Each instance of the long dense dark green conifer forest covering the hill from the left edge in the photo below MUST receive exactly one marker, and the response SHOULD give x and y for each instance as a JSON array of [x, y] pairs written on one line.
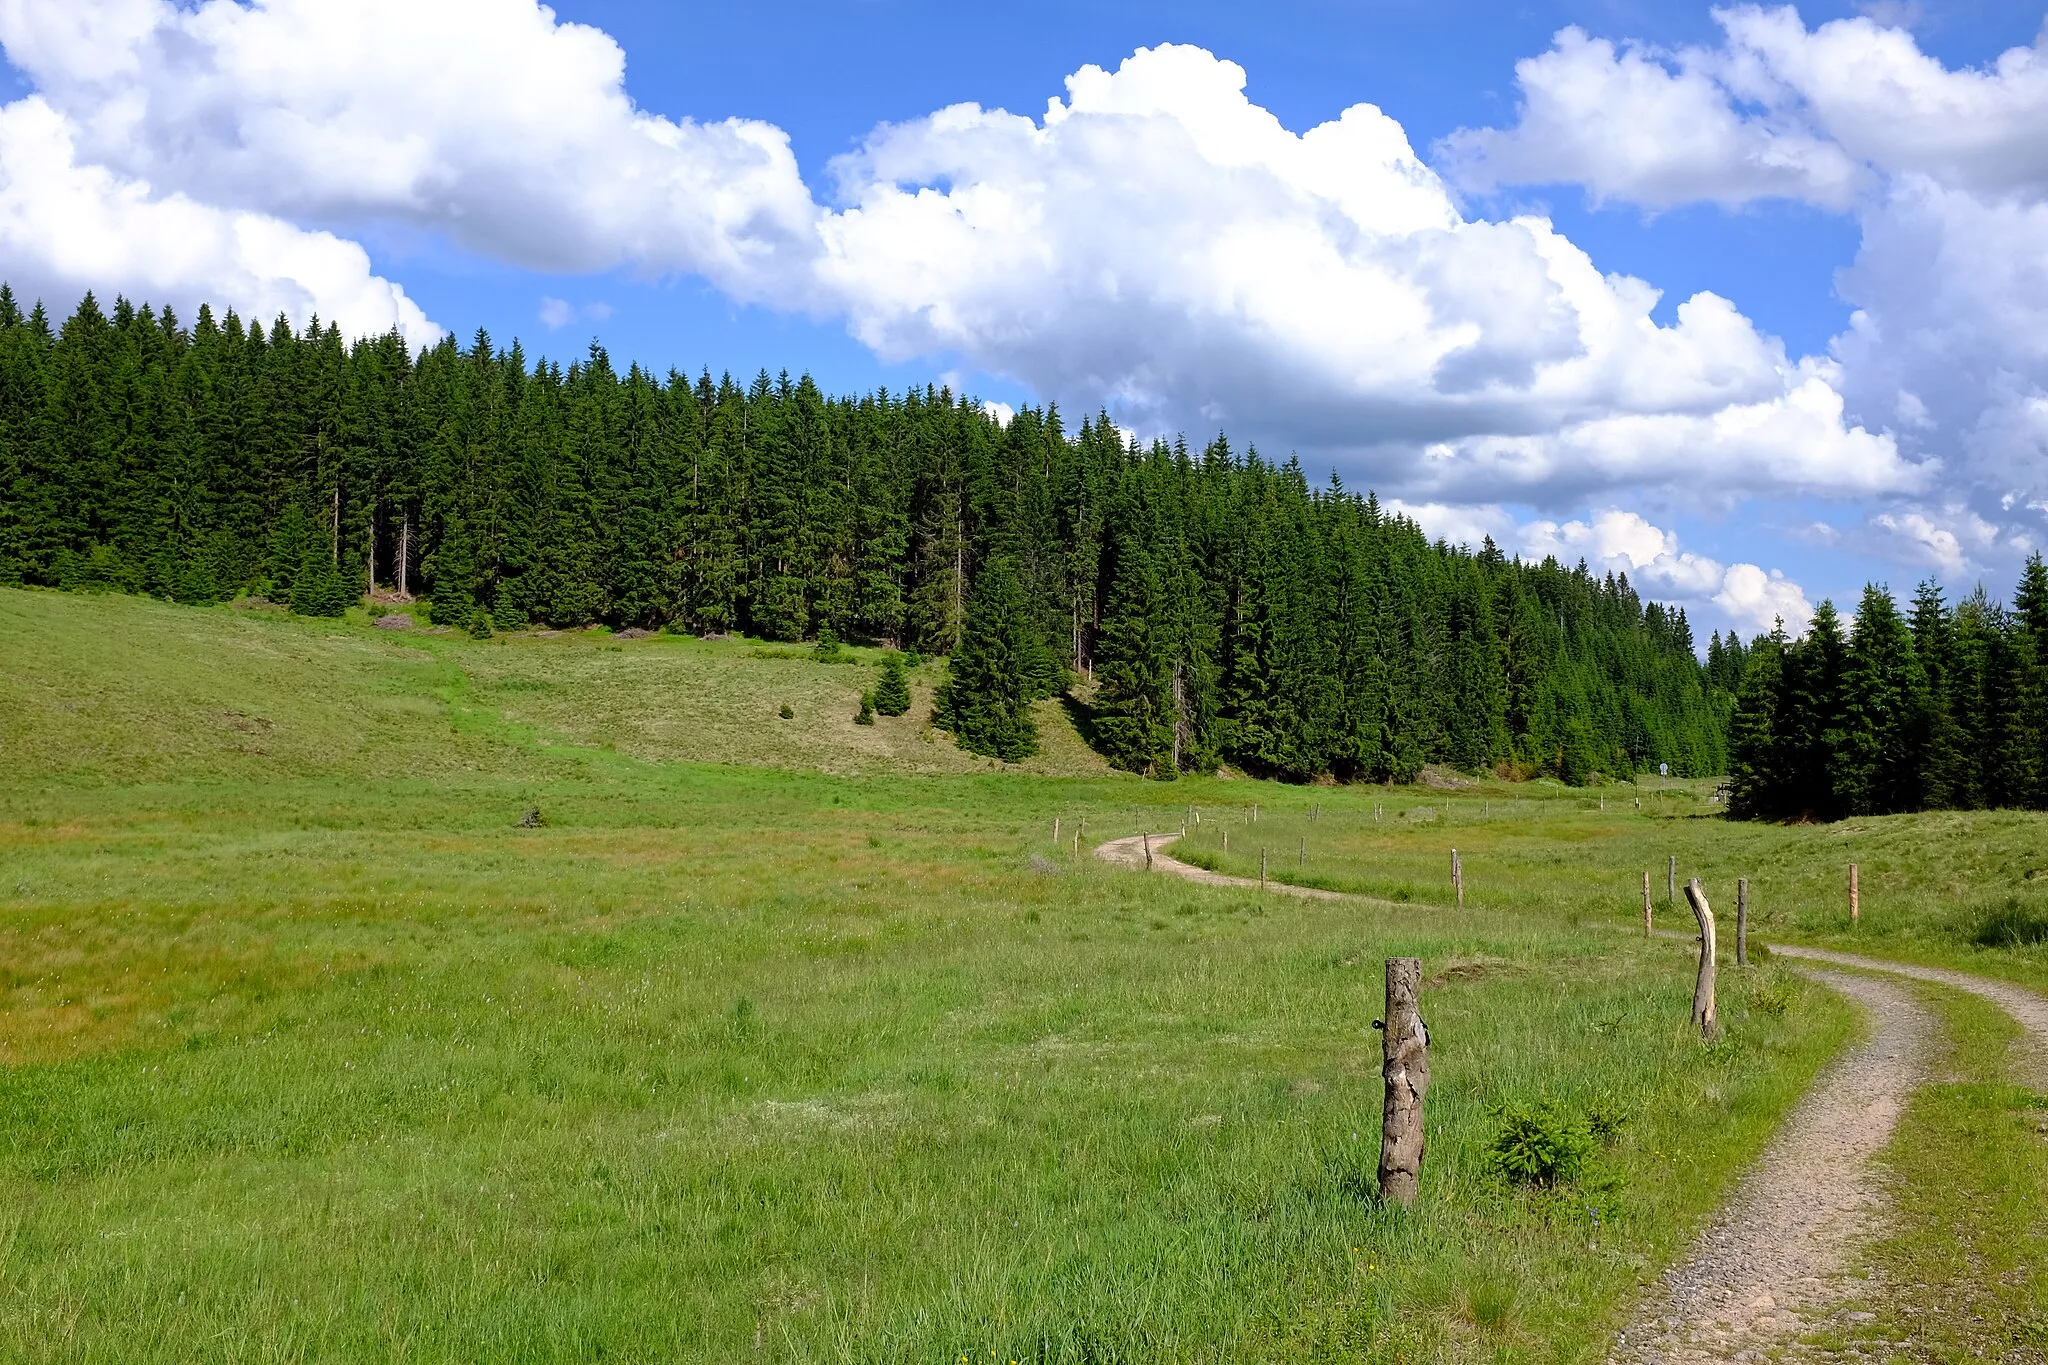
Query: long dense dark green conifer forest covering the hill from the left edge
[[1226, 611]]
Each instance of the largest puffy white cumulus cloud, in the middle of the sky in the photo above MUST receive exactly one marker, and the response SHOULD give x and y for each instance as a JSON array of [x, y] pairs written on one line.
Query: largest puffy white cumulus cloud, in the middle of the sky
[[1162, 243]]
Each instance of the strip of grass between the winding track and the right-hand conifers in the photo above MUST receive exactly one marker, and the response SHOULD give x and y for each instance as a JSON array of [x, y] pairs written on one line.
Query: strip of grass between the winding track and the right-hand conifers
[[1957, 889]]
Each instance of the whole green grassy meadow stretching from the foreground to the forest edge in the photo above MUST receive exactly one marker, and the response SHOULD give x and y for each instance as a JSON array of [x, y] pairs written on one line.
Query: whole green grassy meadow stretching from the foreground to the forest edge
[[800, 1041]]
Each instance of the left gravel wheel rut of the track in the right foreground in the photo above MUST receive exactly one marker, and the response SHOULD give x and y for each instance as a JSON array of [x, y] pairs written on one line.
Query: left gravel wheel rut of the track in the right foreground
[[1773, 1253]]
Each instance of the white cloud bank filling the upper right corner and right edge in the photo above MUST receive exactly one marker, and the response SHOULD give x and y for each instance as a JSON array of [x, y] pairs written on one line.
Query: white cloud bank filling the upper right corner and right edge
[[1949, 177]]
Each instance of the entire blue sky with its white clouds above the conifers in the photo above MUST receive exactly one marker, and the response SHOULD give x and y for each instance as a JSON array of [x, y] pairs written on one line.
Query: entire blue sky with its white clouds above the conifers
[[1746, 155]]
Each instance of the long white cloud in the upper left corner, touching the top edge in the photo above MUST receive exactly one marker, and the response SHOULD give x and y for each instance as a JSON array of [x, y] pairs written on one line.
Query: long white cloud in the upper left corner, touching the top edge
[[484, 120]]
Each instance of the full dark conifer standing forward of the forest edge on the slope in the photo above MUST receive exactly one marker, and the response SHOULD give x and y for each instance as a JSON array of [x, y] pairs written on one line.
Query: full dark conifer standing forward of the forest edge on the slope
[[986, 699]]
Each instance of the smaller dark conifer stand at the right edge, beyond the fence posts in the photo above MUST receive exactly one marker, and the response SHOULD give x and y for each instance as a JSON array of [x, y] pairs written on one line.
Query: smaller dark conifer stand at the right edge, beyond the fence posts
[[1943, 709]]
